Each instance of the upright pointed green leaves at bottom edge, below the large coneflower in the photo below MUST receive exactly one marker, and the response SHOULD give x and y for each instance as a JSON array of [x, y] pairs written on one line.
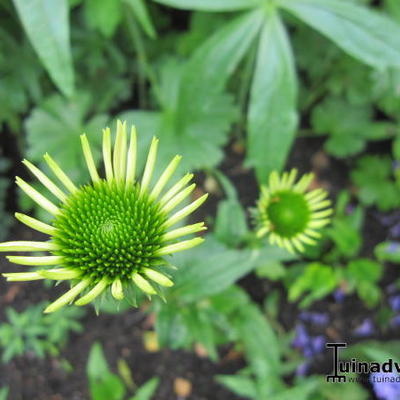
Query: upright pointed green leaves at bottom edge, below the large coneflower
[[104, 385]]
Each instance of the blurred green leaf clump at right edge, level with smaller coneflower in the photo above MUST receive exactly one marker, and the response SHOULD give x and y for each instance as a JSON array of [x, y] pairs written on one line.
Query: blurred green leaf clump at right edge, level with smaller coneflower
[[373, 177]]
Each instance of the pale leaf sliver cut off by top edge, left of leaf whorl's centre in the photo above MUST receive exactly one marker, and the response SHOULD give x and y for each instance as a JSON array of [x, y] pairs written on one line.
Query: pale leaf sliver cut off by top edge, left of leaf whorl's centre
[[211, 5]]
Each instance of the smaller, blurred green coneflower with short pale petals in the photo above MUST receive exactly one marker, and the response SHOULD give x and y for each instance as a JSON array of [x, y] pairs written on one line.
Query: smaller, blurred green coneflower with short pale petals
[[289, 214]]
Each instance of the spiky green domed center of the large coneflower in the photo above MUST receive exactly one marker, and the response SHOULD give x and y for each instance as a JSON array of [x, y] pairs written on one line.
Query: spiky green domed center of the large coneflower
[[108, 230]]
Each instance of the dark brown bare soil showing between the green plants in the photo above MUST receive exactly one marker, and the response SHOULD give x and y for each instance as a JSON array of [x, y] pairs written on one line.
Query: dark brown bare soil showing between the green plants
[[121, 335]]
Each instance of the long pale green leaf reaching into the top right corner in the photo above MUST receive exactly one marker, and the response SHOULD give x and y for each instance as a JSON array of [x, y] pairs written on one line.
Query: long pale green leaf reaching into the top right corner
[[366, 35]]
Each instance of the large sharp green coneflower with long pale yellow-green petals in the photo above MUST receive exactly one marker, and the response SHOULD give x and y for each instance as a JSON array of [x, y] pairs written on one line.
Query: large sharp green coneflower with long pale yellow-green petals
[[109, 233]]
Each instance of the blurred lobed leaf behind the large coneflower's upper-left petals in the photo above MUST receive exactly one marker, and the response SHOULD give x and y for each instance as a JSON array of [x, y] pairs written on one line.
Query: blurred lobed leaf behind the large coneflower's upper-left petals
[[54, 128]]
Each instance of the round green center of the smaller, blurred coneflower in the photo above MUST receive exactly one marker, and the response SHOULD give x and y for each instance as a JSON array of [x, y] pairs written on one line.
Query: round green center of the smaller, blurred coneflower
[[289, 213]]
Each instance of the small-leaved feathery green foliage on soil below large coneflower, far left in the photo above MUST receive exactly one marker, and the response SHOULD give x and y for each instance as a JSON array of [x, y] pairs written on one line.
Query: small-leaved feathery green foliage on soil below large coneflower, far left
[[33, 331]]
